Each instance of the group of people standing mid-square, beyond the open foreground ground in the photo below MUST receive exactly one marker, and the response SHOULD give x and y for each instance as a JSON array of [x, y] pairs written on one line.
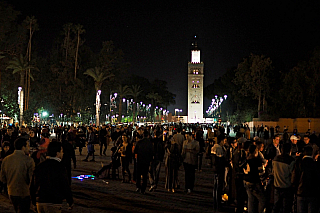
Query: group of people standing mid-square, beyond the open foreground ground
[[147, 148]]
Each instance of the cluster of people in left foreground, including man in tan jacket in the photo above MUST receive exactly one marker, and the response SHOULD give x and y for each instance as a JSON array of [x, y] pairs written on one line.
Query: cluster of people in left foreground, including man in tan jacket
[[42, 182]]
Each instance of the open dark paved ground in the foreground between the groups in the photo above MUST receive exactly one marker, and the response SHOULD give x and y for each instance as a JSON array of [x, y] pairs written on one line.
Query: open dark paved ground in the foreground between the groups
[[103, 195]]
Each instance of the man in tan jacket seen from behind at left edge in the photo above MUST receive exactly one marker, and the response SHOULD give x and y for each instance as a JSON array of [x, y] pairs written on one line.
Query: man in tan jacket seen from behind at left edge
[[16, 172]]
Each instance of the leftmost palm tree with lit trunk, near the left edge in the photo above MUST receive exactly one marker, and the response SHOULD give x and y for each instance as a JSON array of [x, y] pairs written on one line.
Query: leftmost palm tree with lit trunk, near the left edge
[[20, 65]]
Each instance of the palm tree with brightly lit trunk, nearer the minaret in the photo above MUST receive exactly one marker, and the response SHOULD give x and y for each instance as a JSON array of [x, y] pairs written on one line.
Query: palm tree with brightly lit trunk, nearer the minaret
[[99, 76]]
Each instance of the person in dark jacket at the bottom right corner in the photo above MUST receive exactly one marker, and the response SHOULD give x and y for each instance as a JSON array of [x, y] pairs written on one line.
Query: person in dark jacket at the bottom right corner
[[305, 180]]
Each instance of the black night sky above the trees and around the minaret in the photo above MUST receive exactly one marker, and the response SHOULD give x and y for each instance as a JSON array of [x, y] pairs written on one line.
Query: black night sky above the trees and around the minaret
[[156, 36]]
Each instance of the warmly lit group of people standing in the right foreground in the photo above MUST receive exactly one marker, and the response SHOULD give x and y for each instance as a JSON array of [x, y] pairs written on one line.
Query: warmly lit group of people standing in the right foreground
[[275, 176]]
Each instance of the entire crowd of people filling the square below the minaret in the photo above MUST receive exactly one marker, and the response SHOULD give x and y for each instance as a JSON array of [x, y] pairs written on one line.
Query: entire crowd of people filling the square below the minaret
[[277, 175]]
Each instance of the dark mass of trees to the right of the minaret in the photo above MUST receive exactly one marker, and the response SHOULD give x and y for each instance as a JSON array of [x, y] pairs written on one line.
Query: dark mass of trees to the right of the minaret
[[258, 88]]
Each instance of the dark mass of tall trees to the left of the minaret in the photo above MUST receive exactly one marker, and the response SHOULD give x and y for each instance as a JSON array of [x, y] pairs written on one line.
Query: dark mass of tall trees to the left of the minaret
[[65, 80]]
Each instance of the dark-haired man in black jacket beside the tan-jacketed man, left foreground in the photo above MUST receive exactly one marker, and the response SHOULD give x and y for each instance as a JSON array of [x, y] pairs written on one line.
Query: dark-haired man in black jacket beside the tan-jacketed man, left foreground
[[49, 185]]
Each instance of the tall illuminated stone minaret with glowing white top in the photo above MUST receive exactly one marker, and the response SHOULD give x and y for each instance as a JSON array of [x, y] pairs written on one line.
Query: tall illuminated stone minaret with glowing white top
[[195, 86]]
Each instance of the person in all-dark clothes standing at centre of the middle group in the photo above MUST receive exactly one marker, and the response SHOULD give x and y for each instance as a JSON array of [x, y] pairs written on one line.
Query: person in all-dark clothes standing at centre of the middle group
[[144, 155]]
